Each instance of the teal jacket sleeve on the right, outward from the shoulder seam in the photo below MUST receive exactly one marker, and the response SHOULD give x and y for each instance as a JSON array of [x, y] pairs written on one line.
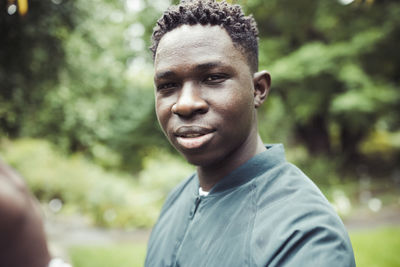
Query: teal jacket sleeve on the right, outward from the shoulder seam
[[303, 222]]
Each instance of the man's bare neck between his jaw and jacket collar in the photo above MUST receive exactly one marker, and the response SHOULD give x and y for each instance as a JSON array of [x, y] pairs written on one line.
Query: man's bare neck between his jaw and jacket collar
[[212, 174]]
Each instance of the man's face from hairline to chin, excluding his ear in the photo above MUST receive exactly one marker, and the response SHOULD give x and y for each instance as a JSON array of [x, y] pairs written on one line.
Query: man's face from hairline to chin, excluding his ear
[[204, 94]]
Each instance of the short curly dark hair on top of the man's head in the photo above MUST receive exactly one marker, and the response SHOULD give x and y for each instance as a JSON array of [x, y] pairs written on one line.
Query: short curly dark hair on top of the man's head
[[242, 29]]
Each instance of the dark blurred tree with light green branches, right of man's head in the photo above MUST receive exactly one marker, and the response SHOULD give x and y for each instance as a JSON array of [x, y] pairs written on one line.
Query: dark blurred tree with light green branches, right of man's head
[[335, 70]]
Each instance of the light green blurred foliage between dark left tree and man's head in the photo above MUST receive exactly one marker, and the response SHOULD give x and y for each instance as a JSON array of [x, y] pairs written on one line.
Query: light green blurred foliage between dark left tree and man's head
[[98, 102]]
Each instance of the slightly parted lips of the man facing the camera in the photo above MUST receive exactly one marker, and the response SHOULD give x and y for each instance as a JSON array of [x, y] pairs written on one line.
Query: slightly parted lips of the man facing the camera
[[191, 137]]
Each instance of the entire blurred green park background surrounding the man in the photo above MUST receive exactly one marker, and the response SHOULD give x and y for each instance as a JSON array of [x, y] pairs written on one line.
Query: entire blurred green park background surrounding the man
[[77, 116]]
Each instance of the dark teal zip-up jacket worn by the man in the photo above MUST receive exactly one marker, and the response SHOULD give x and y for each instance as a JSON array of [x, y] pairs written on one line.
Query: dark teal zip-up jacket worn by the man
[[264, 213]]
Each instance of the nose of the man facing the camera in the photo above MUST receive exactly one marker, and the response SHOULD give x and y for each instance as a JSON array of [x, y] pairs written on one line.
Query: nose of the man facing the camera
[[190, 101]]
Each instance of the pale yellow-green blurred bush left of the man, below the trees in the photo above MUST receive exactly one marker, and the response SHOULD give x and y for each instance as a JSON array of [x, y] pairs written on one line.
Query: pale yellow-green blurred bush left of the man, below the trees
[[108, 198]]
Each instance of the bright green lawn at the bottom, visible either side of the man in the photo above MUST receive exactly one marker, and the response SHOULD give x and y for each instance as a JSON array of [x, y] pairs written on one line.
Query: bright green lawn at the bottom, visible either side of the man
[[378, 247]]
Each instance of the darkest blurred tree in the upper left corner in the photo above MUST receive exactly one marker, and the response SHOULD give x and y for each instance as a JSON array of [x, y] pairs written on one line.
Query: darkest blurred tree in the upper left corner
[[31, 54]]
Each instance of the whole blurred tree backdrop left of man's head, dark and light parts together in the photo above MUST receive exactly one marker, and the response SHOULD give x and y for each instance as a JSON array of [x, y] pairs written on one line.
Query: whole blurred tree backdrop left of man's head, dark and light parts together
[[78, 73]]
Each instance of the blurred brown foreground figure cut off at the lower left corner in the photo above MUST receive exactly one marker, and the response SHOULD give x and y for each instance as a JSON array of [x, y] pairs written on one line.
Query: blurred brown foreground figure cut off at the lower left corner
[[22, 238]]
